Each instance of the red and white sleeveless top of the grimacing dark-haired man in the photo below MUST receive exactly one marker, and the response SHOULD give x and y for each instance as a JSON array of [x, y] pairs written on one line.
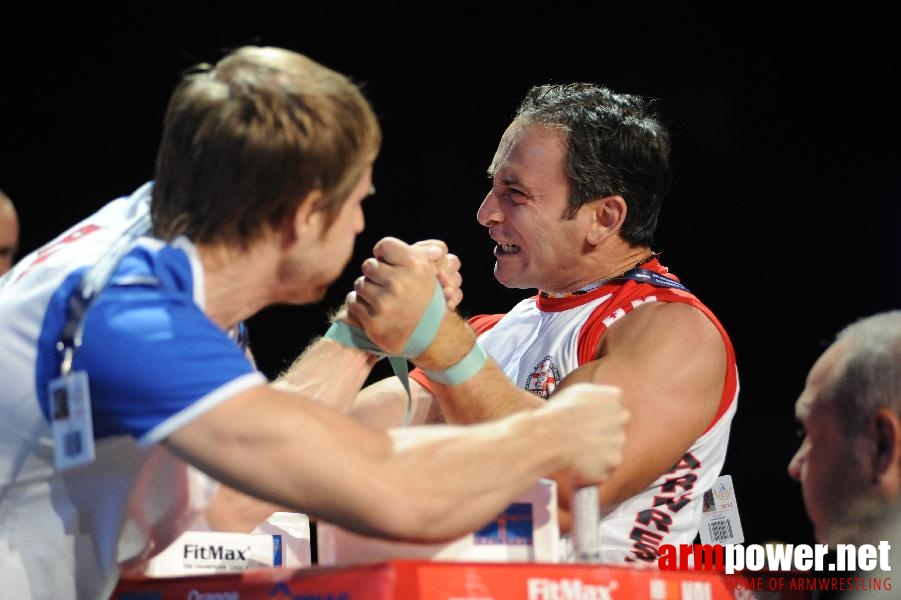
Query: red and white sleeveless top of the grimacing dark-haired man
[[541, 340]]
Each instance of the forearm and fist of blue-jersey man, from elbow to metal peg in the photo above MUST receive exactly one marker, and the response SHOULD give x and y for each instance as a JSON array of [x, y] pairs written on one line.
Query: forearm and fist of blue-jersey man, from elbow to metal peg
[[578, 438]]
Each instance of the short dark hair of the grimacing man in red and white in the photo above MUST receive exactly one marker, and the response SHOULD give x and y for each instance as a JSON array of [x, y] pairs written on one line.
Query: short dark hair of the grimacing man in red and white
[[617, 146]]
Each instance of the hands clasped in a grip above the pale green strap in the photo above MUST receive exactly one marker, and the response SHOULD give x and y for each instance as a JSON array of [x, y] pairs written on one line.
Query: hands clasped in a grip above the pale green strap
[[396, 287]]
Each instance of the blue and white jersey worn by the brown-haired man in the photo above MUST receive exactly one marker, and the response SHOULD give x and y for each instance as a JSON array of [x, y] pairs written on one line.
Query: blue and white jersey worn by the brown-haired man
[[154, 363]]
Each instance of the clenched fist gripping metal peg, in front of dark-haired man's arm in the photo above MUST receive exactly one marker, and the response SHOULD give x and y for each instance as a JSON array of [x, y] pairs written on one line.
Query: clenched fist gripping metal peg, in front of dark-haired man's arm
[[593, 417]]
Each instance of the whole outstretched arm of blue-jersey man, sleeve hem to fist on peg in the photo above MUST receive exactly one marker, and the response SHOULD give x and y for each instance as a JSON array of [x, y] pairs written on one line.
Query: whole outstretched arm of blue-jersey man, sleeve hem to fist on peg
[[422, 483]]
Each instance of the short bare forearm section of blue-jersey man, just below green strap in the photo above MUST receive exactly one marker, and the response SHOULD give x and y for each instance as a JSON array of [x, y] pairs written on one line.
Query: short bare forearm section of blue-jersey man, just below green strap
[[328, 373]]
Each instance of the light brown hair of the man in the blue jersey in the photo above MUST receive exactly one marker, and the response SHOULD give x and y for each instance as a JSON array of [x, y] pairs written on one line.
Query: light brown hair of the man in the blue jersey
[[245, 142]]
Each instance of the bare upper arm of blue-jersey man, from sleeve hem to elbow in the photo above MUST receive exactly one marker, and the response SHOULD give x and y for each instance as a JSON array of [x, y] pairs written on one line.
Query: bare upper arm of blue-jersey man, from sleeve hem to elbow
[[285, 450]]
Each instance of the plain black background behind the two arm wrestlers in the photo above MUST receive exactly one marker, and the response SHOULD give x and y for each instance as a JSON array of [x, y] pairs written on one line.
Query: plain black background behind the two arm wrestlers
[[784, 217]]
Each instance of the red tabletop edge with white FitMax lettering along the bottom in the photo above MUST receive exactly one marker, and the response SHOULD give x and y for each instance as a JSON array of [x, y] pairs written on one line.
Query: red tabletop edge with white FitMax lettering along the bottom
[[425, 580]]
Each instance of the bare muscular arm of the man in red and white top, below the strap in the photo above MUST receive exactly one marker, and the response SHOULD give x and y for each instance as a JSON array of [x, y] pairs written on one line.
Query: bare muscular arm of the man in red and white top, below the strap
[[668, 359]]
